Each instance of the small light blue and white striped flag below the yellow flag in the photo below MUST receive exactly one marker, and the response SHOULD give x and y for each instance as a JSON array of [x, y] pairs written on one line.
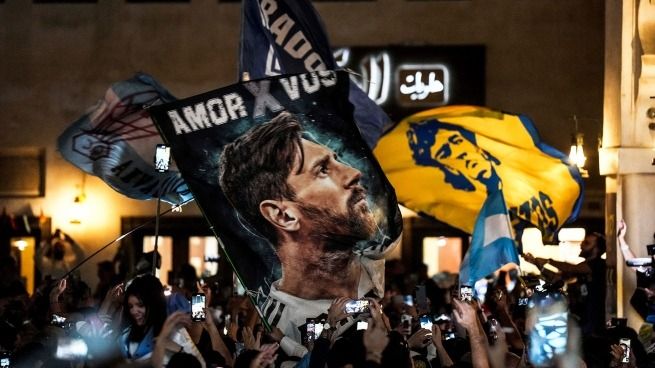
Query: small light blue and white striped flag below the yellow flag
[[492, 244]]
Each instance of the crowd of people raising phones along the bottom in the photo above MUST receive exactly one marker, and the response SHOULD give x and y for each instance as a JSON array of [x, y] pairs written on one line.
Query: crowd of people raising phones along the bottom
[[506, 320]]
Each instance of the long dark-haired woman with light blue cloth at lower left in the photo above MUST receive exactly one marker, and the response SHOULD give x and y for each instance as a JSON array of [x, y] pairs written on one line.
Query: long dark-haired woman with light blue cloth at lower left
[[144, 313]]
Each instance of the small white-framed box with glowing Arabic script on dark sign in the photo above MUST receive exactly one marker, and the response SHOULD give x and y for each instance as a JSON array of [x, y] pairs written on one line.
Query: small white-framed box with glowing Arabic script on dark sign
[[422, 85]]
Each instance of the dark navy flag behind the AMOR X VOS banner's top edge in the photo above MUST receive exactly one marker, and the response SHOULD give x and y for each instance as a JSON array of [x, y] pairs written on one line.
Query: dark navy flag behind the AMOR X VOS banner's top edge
[[287, 37]]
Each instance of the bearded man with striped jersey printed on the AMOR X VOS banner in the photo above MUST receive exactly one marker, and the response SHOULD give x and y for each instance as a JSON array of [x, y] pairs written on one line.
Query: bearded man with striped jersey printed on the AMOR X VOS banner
[[313, 209]]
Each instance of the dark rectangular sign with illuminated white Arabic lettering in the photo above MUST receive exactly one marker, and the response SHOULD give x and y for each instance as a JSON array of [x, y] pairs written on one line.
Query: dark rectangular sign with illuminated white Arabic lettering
[[407, 79]]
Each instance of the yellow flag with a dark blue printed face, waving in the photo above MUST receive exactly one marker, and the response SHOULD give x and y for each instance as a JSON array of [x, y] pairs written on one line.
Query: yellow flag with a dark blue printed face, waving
[[442, 162]]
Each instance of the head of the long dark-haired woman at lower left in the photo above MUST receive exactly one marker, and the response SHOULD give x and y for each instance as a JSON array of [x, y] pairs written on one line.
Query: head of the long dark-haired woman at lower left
[[144, 304]]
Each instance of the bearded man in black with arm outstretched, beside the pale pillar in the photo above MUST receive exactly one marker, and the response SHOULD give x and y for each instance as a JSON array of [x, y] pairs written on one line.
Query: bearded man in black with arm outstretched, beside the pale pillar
[[589, 305]]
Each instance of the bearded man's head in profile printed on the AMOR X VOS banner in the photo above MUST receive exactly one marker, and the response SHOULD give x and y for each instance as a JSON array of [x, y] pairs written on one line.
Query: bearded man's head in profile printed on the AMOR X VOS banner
[[283, 184]]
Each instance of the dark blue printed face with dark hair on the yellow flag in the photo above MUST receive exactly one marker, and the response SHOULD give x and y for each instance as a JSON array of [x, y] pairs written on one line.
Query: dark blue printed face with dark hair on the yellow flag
[[452, 150]]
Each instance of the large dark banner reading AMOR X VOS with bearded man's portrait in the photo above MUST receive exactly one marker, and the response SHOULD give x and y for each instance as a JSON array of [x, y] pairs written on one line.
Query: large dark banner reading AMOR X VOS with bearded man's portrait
[[290, 188]]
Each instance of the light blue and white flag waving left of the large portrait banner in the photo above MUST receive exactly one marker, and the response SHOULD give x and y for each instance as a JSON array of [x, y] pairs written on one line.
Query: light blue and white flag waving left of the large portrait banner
[[115, 140]]
